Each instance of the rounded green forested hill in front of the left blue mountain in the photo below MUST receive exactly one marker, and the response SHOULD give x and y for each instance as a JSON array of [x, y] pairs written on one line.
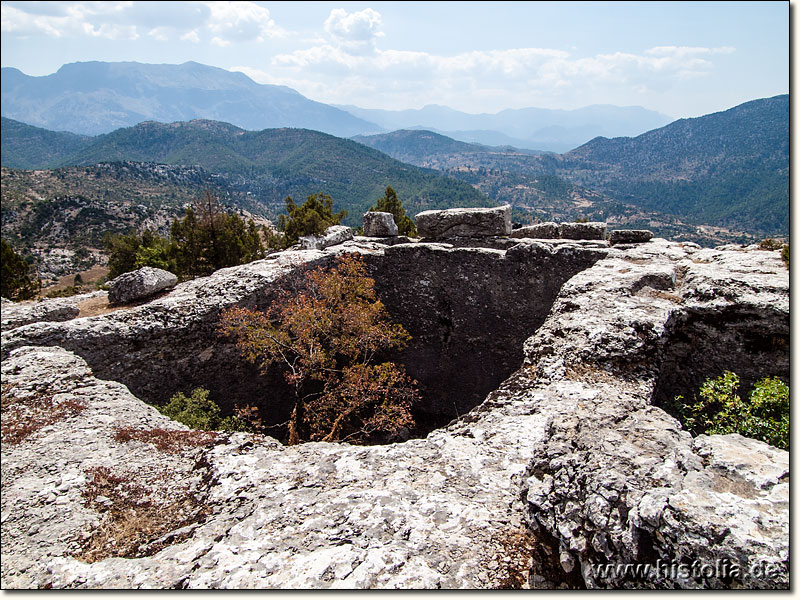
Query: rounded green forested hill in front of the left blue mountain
[[271, 164]]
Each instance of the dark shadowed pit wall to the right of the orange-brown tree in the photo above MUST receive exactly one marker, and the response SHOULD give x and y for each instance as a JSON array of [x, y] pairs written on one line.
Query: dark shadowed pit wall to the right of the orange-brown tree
[[469, 311]]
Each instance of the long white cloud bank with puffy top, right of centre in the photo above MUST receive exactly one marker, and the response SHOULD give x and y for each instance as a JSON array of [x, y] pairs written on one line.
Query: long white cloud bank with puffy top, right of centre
[[333, 72]]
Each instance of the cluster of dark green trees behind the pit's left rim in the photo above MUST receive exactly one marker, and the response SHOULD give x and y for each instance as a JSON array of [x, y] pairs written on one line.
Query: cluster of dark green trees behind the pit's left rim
[[206, 239]]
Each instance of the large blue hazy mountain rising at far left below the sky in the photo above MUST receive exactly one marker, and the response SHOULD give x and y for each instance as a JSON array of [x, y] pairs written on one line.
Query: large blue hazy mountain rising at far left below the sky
[[98, 97]]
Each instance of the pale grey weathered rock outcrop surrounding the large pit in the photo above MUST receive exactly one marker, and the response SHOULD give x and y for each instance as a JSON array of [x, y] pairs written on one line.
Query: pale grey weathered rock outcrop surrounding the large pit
[[566, 474]]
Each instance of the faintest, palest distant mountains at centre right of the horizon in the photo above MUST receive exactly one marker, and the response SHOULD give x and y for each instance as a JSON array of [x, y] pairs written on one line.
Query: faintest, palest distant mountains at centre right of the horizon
[[532, 128]]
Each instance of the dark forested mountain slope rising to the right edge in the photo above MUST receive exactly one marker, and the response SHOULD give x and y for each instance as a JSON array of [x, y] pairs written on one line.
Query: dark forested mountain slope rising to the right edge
[[729, 168]]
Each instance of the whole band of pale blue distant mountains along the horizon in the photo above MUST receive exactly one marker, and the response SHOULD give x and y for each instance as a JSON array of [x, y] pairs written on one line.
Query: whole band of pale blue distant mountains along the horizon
[[93, 98]]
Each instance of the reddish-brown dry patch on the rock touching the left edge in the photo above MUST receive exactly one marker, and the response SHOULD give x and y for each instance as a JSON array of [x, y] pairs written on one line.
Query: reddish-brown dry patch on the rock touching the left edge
[[21, 417]]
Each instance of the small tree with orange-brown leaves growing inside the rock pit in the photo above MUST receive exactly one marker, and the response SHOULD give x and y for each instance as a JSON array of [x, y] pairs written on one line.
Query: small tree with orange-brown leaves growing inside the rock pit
[[327, 337]]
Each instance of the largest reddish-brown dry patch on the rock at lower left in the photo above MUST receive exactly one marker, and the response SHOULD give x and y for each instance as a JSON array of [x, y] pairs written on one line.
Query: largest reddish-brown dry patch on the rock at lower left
[[135, 523]]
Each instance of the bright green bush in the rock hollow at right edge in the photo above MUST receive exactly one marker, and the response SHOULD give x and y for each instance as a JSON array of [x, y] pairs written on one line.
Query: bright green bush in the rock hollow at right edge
[[720, 410]]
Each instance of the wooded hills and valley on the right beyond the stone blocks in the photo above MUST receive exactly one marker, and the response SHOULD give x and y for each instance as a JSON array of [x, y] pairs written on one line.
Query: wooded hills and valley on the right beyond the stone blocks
[[729, 169]]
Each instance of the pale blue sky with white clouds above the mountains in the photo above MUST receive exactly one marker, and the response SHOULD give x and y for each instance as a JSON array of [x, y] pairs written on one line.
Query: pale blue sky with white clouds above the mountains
[[683, 59]]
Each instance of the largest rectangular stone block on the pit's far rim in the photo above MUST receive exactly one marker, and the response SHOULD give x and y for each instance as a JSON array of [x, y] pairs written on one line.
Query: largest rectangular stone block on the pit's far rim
[[464, 222]]
